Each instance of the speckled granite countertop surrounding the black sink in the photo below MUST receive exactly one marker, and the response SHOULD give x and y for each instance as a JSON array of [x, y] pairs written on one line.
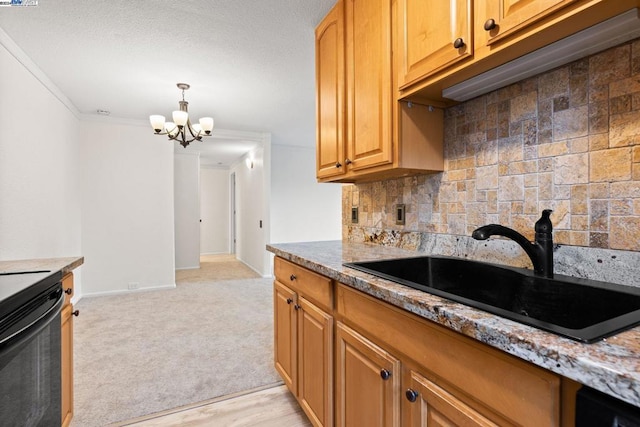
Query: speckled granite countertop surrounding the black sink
[[611, 365]]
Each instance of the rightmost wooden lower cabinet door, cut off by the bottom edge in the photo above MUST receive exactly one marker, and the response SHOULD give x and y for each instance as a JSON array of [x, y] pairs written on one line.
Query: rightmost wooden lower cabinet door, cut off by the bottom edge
[[430, 405]]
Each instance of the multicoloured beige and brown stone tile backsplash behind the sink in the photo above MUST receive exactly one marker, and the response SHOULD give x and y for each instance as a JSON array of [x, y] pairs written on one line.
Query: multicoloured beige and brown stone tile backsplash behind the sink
[[567, 140]]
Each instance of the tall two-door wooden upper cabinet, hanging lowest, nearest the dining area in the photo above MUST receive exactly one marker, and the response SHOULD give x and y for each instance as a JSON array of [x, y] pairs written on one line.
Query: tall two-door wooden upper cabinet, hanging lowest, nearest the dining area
[[363, 132]]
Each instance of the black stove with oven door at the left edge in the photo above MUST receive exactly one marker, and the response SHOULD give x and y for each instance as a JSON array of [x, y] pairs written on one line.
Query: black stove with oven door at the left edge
[[30, 382]]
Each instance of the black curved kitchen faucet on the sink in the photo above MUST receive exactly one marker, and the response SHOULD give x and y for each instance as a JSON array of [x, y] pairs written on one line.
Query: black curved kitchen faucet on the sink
[[540, 252]]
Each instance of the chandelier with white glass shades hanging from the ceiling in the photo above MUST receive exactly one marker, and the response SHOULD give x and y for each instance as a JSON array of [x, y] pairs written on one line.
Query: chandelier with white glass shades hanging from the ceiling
[[181, 129]]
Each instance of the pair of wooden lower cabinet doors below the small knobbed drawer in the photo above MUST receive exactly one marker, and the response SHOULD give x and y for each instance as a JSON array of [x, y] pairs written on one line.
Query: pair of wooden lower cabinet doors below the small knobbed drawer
[[304, 352]]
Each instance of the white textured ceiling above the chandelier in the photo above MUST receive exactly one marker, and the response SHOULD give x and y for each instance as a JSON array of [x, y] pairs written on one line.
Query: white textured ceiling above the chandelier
[[250, 63]]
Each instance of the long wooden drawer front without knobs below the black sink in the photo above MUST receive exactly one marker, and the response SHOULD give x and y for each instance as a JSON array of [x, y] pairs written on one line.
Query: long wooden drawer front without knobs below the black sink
[[516, 390]]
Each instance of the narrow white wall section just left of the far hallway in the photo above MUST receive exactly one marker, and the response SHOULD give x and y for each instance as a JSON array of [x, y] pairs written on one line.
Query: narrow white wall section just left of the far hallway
[[187, 210]]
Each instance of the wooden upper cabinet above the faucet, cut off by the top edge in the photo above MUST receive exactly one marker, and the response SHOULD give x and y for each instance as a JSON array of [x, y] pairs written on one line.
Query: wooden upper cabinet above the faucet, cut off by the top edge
[[499, 31]]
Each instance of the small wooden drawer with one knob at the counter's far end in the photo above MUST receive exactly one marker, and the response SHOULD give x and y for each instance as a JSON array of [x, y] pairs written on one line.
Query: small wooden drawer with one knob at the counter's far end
[[313, 286]]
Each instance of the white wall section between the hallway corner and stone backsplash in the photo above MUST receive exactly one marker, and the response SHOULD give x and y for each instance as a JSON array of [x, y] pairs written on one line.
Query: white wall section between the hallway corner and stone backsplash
[[301, 208]]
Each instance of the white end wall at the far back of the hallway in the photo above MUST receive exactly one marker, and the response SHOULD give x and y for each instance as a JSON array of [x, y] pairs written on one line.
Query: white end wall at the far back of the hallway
[[214, 210]]
